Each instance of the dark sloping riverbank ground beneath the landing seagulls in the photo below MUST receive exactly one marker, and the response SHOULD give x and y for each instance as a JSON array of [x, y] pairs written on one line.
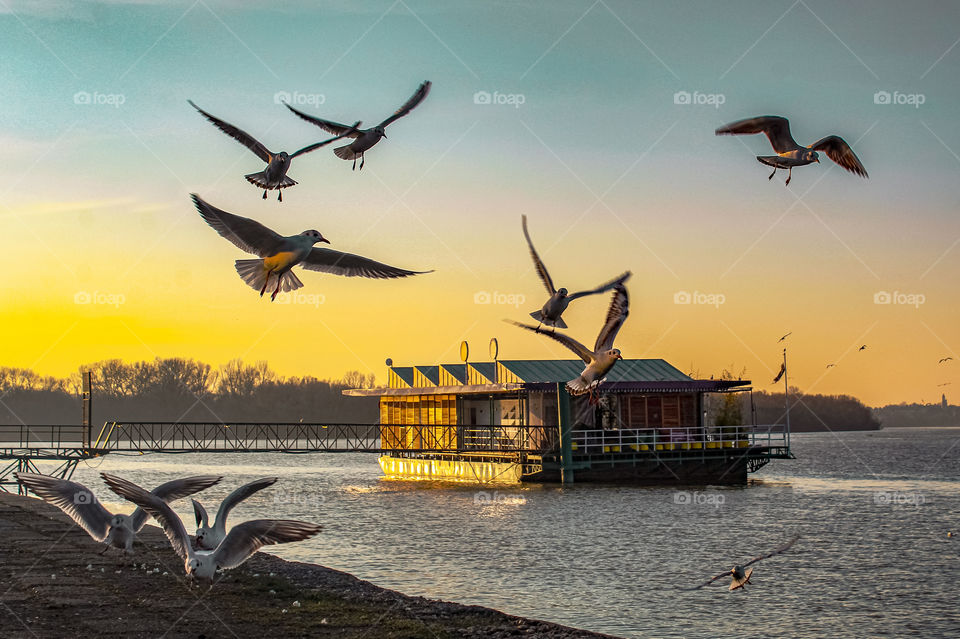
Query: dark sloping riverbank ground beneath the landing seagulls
[[56, 585]]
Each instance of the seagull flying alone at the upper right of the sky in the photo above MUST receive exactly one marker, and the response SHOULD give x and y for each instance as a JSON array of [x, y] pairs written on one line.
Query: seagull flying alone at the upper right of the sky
[[789, 153]]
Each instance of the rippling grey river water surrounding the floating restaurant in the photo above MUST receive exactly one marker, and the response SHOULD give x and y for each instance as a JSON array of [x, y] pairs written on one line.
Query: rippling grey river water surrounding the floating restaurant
[[872, 509]]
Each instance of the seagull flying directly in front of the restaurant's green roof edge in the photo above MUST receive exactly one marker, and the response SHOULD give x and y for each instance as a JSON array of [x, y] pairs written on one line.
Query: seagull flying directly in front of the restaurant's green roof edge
[[601, 359]]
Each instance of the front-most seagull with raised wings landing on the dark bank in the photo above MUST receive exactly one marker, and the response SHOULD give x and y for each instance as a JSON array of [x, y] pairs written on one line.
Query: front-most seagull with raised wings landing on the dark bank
[[240, 544]]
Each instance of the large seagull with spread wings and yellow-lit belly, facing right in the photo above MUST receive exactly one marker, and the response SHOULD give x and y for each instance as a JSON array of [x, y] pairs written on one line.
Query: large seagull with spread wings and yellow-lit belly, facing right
[[279, 254]]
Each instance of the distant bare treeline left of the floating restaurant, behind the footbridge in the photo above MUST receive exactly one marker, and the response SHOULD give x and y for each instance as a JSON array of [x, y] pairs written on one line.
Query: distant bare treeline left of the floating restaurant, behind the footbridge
[[183, 390]]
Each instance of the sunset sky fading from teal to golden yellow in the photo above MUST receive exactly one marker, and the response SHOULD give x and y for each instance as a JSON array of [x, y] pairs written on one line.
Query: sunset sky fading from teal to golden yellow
[[107, 258]]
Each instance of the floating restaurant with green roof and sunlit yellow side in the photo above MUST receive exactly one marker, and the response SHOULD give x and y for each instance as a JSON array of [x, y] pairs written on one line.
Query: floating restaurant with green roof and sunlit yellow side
[[510, 421]]
